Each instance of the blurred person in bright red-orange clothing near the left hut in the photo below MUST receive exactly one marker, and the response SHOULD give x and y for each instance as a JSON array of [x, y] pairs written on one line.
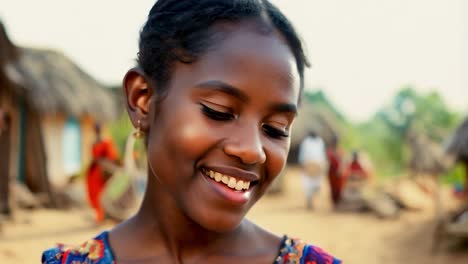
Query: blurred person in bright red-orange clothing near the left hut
[[104, 153]]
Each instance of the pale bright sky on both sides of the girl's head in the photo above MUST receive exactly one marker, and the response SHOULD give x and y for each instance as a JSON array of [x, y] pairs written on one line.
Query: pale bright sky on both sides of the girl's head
[[362, 51]]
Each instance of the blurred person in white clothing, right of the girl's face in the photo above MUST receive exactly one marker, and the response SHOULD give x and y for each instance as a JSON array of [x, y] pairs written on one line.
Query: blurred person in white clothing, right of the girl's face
[[313, 160]]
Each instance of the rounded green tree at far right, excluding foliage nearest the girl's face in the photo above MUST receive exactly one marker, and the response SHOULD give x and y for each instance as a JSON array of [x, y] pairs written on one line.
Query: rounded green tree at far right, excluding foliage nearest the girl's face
[[408, 114]]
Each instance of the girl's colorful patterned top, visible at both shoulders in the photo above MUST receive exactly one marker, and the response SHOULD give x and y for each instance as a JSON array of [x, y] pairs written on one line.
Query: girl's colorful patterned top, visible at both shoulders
[[98, 251]]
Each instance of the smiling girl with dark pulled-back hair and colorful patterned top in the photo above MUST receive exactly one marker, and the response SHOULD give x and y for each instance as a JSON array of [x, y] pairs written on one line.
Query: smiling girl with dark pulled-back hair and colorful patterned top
[[215, 94]]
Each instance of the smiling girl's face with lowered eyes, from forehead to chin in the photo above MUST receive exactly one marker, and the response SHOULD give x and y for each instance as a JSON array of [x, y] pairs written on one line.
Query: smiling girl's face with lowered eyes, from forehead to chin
[[221, 135]]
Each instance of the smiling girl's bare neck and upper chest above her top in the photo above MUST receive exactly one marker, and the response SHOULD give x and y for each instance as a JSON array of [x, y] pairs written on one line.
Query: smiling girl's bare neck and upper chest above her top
[[160, 232]]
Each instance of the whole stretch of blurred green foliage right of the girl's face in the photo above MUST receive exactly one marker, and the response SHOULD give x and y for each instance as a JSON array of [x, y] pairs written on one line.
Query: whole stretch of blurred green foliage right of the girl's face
[[385, 137]]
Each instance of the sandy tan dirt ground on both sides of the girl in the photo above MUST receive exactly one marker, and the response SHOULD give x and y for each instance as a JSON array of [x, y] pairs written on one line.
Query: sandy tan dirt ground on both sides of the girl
[[355, 238]]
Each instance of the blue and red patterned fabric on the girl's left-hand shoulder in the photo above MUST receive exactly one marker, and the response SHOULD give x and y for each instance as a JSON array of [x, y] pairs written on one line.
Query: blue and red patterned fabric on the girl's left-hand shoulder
[[93, 251]]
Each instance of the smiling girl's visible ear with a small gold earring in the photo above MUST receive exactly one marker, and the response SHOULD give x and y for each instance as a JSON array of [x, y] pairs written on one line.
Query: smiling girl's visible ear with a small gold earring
[[137, 94]]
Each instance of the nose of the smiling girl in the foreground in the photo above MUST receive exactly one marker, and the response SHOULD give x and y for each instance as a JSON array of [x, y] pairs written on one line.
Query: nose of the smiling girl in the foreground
[[246, 144]]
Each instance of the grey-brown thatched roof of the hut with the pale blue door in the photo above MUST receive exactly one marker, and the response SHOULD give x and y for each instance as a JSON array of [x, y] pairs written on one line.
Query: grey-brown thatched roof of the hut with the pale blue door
[[52, 83]]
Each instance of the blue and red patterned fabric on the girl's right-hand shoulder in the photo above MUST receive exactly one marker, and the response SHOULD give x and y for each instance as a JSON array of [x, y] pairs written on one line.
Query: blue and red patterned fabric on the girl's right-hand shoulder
[[296, 251]]
